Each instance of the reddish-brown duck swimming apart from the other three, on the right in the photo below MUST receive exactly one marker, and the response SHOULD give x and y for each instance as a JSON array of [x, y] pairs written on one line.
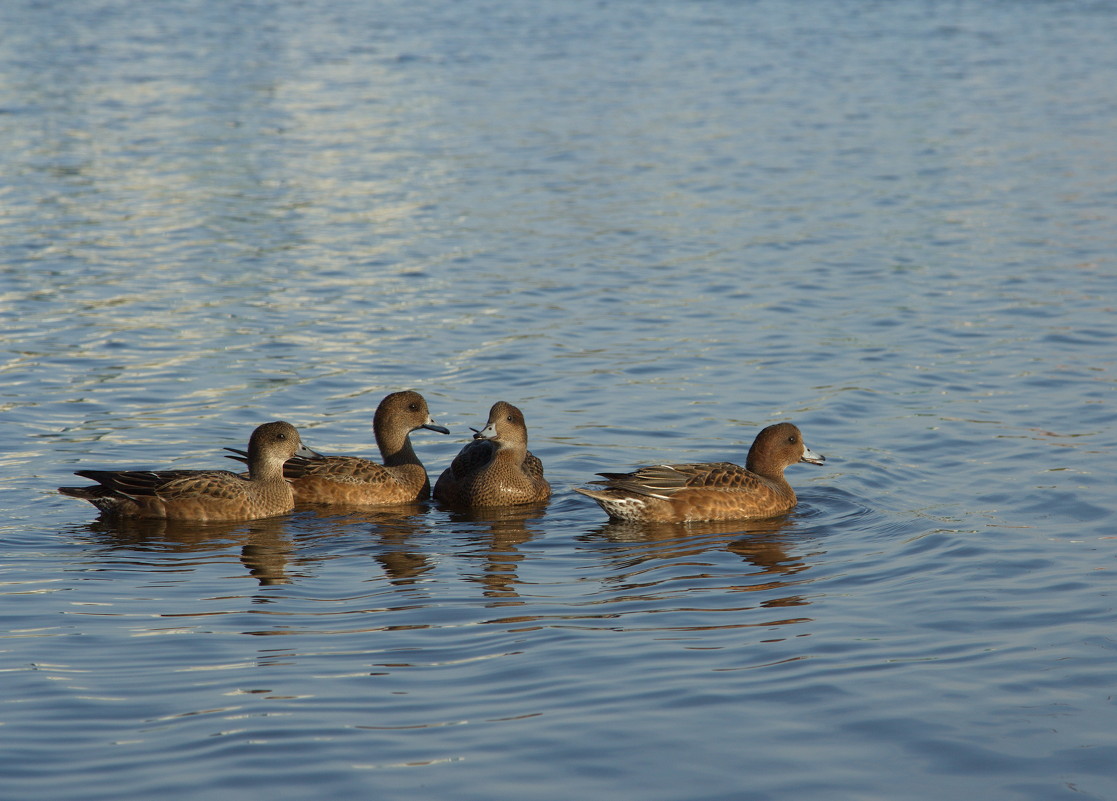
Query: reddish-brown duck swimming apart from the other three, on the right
[[713, 491]]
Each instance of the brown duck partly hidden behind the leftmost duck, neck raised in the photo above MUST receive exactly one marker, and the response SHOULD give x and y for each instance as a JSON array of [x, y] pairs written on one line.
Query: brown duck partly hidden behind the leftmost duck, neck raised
[[356, 482]]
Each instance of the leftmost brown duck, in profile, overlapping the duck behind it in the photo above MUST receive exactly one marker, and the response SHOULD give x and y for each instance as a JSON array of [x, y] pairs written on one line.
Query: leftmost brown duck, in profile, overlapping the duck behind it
[[203, 497]]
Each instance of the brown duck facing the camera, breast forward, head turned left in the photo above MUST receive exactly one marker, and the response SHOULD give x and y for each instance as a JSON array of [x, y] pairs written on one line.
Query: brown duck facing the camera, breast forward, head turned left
[[495, 469]]
